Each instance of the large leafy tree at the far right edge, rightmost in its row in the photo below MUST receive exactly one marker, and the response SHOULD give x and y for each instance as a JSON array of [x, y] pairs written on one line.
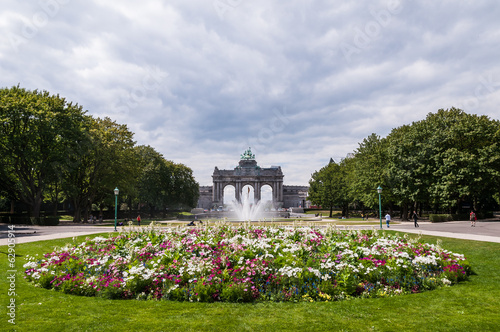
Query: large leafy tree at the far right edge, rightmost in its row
[[465, 158]]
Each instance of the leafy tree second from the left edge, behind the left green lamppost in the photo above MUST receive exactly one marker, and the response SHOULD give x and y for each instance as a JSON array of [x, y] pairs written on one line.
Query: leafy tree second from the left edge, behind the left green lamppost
[[105, 160]]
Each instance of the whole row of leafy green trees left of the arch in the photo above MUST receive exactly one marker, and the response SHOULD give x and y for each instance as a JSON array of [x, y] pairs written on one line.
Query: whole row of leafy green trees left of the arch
[[52, 149]]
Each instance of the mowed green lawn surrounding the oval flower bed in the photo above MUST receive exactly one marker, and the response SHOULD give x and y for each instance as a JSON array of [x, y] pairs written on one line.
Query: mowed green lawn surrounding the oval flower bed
[[470, 306]]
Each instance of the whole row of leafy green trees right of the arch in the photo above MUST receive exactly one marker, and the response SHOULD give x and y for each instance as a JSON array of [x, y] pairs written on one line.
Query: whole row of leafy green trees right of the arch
[[450, 161]]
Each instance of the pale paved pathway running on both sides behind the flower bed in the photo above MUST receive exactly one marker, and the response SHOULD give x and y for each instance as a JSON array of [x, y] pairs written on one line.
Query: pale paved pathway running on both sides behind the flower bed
[[488, 231]]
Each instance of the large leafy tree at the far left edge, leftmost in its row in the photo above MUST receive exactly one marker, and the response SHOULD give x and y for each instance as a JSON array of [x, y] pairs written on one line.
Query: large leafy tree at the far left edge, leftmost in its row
[[38, 132]]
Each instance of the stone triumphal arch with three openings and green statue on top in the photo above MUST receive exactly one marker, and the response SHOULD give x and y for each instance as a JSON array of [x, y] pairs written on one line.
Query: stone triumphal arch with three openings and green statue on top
[[248, 173]]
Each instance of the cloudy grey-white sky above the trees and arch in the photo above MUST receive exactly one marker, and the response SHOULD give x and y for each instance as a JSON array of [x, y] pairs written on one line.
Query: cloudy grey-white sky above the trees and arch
[[298, 81]]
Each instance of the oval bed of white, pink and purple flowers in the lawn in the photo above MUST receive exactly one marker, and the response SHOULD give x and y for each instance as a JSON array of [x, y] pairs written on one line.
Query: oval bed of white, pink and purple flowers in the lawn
[[246, 264]]
